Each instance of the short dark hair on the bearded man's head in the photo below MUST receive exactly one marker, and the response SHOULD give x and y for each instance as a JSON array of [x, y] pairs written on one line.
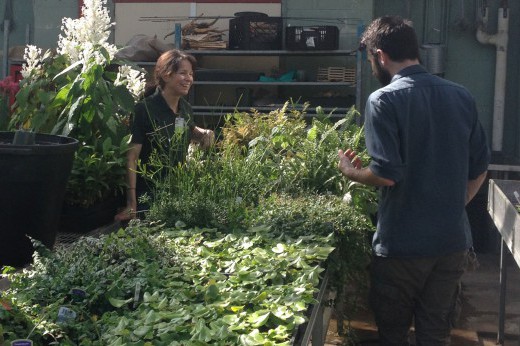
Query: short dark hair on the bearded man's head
[[393, 35]]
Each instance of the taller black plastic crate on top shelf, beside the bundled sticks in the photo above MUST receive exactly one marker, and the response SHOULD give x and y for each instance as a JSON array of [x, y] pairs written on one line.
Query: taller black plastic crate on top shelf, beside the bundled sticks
[[255, 33]]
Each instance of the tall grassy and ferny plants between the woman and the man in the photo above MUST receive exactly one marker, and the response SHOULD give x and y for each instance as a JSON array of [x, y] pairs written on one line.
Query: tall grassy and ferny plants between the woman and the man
[[258, 155]]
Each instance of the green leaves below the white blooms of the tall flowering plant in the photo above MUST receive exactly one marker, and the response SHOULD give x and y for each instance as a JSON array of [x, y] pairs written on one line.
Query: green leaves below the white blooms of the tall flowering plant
[[85, 104]]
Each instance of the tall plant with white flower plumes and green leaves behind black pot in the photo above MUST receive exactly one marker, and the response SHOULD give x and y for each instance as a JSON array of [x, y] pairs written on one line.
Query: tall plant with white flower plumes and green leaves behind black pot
[[83, 91]]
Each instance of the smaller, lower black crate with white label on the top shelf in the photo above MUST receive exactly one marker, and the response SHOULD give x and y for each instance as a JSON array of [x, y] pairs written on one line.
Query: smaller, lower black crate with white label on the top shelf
[[312, 37]]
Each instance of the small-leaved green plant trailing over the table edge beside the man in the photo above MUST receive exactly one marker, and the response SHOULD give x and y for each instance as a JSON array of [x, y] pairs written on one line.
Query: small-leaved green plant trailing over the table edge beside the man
[[316, 214]]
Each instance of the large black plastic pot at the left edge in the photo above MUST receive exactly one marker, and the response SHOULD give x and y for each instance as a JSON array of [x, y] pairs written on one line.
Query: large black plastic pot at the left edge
[[32, 184]]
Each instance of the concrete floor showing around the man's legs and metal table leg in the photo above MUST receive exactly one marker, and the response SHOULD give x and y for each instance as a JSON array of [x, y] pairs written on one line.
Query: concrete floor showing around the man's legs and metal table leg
[[478, 323]]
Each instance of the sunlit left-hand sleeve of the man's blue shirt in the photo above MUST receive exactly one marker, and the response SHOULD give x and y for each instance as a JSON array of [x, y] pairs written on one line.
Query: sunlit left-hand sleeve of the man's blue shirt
[[382, 139]]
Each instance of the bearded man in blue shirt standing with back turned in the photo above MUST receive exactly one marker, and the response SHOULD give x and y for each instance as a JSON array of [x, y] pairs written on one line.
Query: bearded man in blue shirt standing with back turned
[[429, 156]]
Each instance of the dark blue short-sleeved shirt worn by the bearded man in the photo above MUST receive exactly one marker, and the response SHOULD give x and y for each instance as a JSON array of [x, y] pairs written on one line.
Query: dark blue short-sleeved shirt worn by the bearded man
[[423, 133]]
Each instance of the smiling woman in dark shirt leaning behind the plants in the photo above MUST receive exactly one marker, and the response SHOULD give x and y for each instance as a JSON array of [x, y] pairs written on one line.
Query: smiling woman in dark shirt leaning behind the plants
[[162, 123]]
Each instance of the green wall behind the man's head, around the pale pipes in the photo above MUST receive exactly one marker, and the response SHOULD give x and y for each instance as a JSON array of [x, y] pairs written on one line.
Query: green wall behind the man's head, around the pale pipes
[[469, 62]]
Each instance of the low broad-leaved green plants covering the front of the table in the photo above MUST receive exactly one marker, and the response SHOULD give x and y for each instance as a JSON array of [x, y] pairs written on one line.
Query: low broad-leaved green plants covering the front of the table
[[150, 285]]
